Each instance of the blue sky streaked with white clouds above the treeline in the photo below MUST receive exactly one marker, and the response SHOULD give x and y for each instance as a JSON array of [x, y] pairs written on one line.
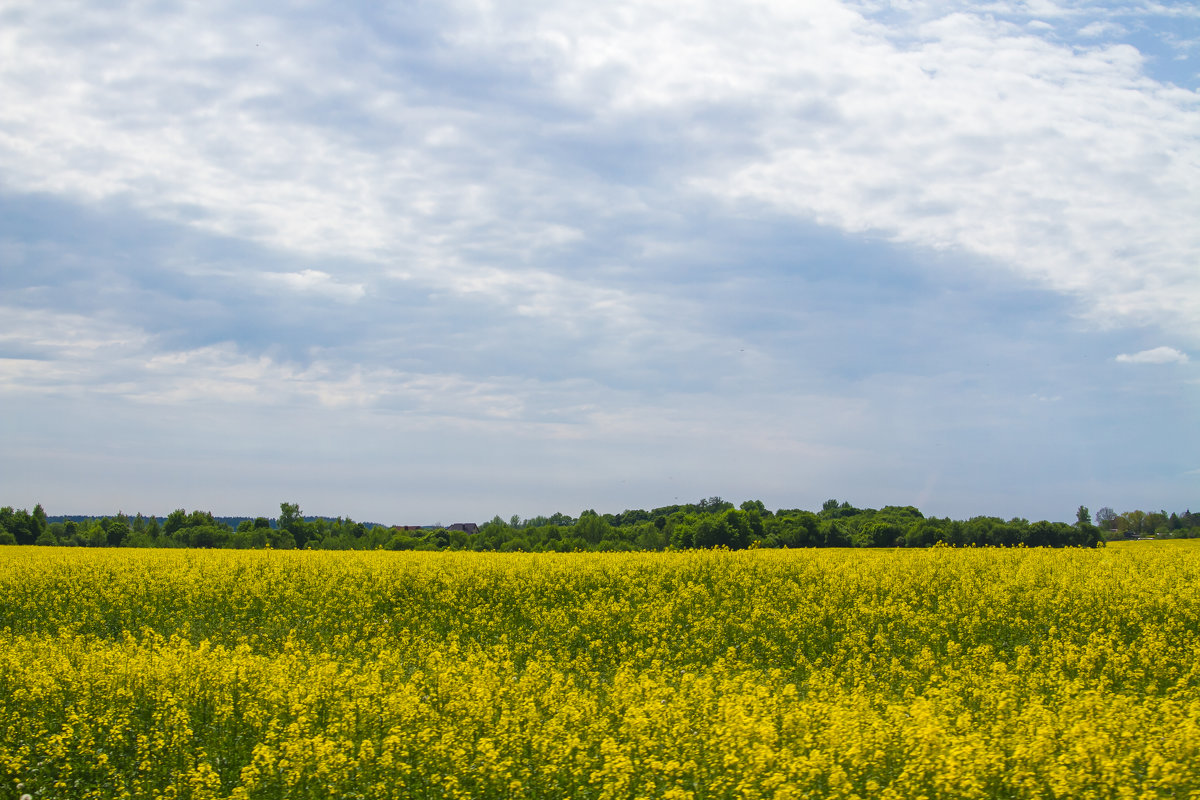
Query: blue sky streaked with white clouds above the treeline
[[422, 263]]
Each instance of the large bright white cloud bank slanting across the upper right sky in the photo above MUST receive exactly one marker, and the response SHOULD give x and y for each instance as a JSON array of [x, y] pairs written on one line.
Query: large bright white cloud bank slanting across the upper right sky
[[1071, 169]]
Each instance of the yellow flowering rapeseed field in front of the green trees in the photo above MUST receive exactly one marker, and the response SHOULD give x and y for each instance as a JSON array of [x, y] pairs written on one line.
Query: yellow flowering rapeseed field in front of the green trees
[[938, 673]]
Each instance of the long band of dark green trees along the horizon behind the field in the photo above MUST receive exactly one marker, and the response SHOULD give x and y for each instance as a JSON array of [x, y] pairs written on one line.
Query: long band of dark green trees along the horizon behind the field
[[710, 524]]
